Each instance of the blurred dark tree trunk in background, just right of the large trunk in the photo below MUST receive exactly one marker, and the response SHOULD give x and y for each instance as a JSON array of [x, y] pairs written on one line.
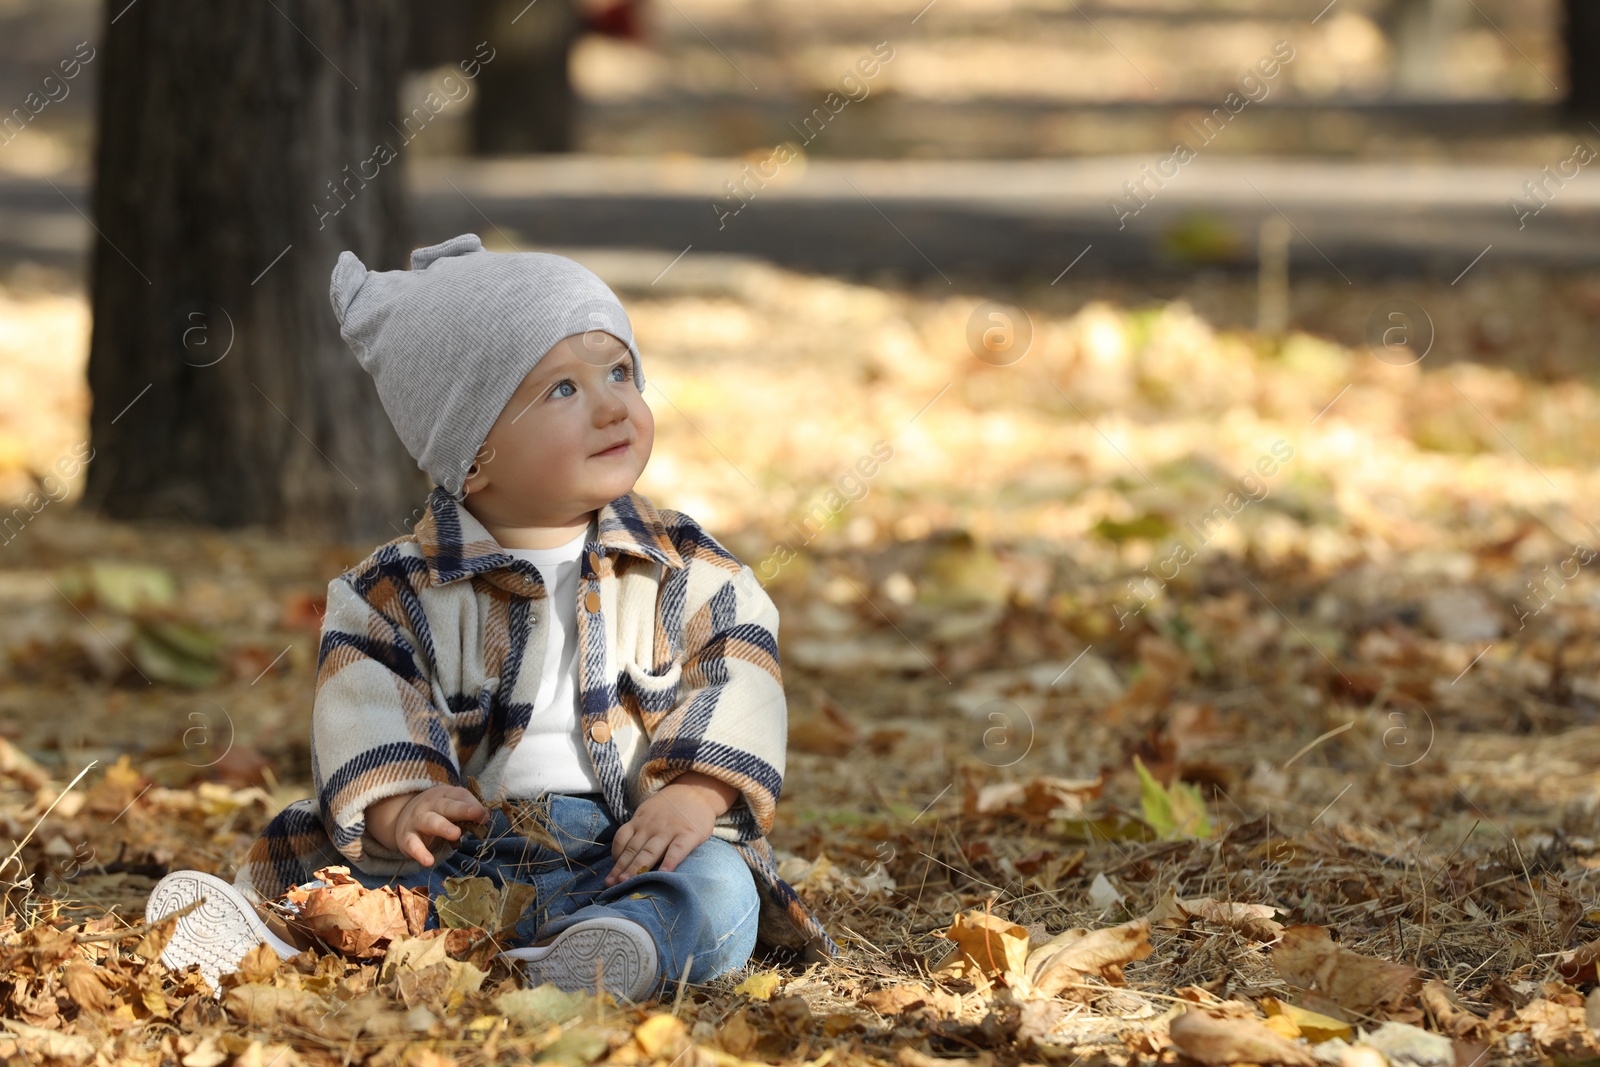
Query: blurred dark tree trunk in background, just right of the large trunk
[[527, 102]]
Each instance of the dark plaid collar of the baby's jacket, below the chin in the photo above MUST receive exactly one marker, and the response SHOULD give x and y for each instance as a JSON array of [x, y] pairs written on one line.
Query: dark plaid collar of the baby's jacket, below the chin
[[458, 546]]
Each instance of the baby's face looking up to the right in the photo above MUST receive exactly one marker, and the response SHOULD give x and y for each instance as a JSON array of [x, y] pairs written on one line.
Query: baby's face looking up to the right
[[545, 462]]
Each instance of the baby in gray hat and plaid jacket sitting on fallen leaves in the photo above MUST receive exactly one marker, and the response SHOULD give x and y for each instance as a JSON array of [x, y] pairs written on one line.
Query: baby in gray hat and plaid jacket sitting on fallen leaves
[[545, 636]]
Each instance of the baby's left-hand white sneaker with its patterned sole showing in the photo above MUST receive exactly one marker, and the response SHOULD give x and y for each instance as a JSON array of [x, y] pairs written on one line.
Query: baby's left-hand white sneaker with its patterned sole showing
[[218, 933]]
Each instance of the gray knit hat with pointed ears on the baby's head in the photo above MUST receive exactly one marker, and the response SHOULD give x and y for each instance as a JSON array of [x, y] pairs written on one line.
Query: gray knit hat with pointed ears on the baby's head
[[450, 340]]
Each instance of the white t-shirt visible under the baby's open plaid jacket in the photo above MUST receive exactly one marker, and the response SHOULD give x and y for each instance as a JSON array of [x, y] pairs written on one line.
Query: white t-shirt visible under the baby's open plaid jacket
[[553, 756]]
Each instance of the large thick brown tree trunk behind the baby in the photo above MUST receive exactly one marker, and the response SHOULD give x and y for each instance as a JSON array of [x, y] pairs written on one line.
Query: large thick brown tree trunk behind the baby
[[238, 145]]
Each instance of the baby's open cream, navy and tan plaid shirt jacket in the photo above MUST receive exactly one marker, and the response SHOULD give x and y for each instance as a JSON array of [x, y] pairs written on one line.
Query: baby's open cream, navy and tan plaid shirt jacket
[[431, 658]]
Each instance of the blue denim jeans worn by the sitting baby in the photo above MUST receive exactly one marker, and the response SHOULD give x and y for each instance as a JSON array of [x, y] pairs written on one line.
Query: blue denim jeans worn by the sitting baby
[[706, 909]]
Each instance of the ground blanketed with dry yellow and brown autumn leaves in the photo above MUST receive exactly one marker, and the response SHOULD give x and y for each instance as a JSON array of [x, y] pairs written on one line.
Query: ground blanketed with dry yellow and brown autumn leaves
[[1158, 692]]
